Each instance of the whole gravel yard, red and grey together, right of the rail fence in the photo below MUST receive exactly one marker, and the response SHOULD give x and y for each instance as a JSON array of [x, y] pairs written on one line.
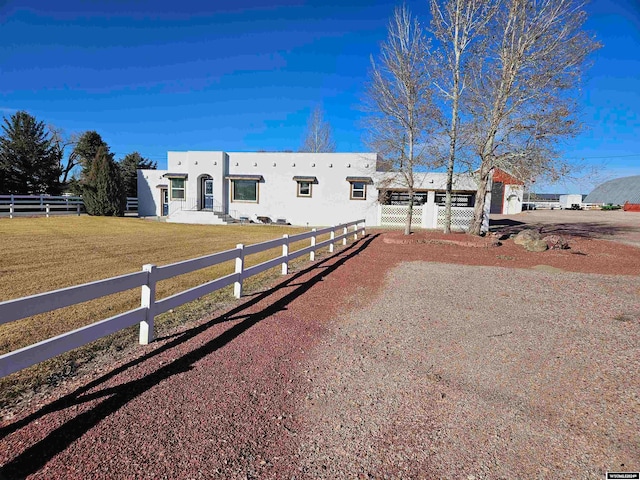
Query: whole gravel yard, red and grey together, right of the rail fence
[[429, 357]]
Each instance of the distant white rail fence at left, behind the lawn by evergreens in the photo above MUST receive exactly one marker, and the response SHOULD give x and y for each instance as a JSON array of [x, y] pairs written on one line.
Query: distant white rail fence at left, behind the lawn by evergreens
[[17, 205]]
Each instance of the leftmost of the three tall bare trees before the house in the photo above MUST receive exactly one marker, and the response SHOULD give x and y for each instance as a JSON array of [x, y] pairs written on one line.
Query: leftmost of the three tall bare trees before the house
[[398, 100]]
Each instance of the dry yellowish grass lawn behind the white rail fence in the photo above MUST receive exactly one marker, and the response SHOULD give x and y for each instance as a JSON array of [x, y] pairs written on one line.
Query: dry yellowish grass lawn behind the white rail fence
[[42, 254]]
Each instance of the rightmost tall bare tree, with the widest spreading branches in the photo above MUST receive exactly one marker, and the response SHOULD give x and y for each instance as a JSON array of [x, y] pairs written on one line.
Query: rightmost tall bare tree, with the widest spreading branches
[[522, 97]]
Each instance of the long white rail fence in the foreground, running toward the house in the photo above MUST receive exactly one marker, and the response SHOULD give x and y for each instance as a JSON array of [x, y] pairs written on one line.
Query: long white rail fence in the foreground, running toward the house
[[150, 307]]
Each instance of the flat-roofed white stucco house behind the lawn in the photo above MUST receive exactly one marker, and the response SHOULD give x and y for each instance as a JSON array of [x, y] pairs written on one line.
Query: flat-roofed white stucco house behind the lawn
[[314, 189]]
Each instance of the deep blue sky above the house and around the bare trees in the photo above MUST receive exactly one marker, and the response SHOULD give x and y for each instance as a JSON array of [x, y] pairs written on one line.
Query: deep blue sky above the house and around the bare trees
[[160, 75]]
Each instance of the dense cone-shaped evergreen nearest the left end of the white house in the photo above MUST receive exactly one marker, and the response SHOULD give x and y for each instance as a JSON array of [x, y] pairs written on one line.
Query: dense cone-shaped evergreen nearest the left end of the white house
[[103, 192]]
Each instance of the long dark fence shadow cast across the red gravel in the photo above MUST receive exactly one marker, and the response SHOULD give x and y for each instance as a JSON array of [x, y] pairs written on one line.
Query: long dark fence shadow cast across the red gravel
[[35, 457]]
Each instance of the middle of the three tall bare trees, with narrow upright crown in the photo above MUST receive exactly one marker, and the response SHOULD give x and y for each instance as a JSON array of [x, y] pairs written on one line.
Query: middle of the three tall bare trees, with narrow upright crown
[[456, 25]]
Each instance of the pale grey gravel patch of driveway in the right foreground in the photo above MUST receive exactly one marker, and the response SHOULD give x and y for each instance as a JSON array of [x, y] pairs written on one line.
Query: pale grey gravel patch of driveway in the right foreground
[[531, 375]]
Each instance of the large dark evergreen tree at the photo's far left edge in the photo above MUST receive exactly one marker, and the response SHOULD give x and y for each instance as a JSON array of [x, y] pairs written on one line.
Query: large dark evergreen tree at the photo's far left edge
[[29, 162]]
